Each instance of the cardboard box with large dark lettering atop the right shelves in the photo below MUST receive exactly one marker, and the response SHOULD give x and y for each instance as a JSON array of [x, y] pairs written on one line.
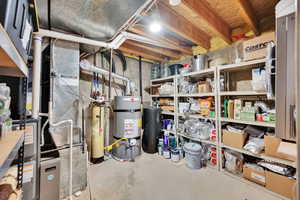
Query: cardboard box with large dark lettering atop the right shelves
[[256, 48]]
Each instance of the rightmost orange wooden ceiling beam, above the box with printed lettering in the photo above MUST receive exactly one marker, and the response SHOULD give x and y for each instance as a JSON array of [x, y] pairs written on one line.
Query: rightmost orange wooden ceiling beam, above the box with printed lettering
[[247, 12]]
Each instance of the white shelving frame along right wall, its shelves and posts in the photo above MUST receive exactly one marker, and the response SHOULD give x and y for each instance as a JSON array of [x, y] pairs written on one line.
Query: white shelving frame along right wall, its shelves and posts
[[219, 119]]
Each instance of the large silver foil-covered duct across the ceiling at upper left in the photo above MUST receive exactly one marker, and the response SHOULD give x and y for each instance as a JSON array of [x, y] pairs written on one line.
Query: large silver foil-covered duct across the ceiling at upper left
[[94, 19]]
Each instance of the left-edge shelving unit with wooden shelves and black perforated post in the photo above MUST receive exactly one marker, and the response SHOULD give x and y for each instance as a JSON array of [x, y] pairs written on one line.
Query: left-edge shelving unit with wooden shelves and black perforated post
[[12, 64]]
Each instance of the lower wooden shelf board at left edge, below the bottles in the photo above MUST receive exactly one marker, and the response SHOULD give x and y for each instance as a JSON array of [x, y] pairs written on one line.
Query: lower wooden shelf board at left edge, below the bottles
[[9, 150]]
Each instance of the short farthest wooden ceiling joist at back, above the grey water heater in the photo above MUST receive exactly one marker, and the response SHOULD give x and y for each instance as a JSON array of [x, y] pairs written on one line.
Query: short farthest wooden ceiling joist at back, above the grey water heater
[[129, 48]]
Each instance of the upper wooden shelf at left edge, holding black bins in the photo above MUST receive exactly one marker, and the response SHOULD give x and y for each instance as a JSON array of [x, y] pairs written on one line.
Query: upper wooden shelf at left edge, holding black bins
[[11, 62]]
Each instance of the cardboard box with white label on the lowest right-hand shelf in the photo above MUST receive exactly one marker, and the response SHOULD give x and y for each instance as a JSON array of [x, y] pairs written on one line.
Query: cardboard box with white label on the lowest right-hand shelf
[[255, 176]]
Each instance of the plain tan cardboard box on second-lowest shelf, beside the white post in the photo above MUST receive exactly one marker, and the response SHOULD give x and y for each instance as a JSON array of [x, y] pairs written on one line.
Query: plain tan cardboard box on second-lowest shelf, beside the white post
[[234, 139]]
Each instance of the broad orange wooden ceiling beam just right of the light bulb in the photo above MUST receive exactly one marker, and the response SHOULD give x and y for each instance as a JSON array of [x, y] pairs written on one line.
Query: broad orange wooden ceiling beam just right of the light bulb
[[199, 11]]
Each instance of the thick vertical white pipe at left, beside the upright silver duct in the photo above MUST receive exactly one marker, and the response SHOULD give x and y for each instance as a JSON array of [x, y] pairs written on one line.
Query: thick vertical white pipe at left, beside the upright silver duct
[[36, 80]]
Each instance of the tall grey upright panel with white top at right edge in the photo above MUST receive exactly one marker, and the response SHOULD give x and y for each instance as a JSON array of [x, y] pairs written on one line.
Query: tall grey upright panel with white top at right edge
[[285, 70]]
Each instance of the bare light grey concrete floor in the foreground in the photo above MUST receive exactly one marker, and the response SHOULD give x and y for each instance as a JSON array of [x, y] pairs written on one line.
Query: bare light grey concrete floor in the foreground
[[153, 178]]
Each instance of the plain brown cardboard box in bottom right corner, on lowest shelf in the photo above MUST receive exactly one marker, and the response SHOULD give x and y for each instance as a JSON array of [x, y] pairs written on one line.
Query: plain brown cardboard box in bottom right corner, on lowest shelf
[[280, 184]]
